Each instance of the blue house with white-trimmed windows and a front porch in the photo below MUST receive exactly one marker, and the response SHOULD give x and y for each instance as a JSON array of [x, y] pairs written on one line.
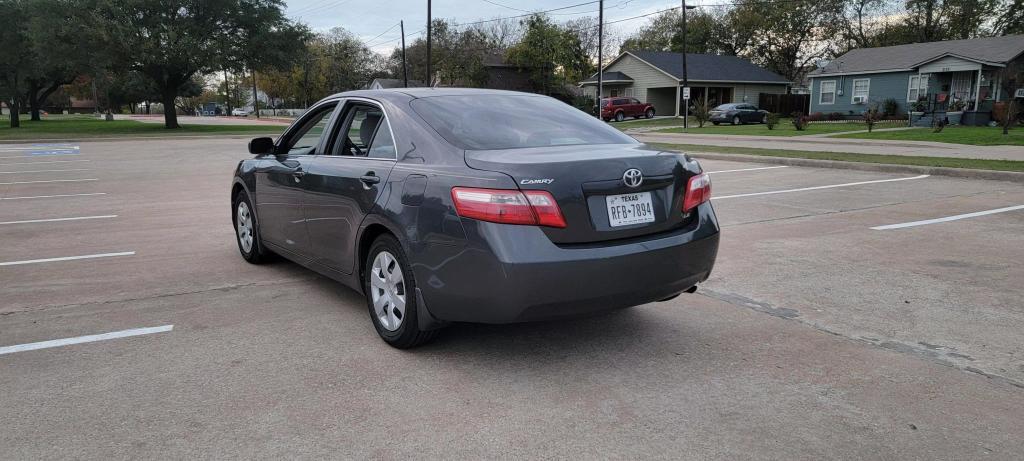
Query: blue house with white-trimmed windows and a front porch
[[955, 79]]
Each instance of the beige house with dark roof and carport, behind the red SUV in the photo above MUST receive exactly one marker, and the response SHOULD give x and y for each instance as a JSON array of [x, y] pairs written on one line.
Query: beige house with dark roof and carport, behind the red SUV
[[657, 77]]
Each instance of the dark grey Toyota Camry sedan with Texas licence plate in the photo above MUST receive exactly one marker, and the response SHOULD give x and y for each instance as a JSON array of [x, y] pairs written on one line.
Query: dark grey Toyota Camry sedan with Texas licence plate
[[461, 205]]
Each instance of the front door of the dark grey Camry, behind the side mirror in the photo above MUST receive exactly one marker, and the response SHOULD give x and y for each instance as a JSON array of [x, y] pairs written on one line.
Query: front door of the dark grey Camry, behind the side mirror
[[280, 182]]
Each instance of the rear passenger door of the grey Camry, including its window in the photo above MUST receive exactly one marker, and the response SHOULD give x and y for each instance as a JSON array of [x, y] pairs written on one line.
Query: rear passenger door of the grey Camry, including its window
[[345, 185]]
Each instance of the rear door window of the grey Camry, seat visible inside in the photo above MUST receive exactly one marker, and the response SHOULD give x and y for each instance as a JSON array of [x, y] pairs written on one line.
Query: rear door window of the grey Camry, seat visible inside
[[365, 134]]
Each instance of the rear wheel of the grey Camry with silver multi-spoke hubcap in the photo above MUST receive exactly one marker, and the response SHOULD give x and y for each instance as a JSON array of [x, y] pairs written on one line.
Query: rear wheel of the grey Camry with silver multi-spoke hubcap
[[391, 291]]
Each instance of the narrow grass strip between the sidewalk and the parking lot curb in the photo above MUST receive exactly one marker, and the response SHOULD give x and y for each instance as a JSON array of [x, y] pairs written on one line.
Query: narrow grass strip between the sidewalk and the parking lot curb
[[999, 165]]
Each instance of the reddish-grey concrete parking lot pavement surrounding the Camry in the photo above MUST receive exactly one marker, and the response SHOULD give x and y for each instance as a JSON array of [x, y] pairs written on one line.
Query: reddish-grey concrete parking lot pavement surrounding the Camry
[[817, 338]]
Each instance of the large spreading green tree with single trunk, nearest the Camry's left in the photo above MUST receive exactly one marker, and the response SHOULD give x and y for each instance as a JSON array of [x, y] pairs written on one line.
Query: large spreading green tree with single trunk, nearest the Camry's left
[[172, 41]]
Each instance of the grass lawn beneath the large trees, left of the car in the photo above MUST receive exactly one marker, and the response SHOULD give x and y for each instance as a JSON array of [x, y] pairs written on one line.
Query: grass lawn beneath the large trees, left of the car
[[82, 128]]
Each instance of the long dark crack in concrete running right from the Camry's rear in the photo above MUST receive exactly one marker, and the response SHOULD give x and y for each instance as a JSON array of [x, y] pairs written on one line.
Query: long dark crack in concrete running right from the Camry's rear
[[922, 351]]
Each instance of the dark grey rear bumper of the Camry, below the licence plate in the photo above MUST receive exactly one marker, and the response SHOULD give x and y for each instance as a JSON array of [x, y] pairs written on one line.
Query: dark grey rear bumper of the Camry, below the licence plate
[[515, 274]]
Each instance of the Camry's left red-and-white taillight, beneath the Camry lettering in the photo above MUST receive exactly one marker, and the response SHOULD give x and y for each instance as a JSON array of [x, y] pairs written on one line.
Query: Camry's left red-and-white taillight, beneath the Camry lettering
[[509, 207]]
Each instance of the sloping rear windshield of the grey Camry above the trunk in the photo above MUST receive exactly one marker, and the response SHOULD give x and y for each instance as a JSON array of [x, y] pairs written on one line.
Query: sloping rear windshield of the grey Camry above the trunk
[[484, 122]]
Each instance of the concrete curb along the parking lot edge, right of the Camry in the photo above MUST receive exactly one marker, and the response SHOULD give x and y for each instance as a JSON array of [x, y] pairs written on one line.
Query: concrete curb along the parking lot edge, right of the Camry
[[966, 174]]
